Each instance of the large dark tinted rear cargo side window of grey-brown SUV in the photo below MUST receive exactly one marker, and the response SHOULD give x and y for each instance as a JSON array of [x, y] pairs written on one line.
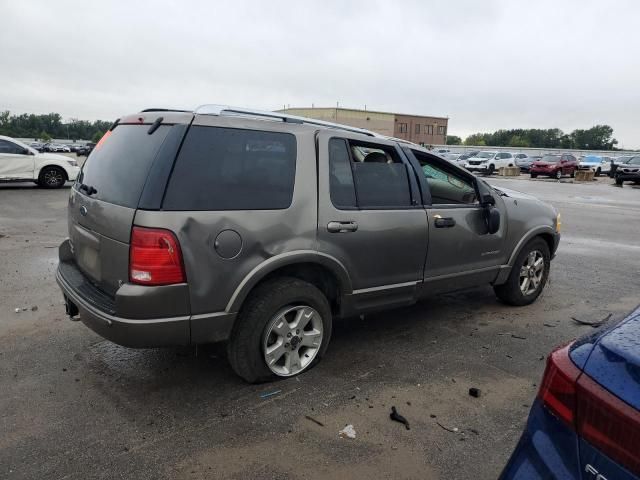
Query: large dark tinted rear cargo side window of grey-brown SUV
[[233, 169]]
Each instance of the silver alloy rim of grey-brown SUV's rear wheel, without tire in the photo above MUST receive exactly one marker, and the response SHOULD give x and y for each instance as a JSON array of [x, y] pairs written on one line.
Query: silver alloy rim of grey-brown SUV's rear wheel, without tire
[[292, 339]]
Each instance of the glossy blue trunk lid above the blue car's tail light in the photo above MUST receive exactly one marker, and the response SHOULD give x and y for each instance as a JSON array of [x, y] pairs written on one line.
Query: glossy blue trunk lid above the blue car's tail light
[[615, 360]]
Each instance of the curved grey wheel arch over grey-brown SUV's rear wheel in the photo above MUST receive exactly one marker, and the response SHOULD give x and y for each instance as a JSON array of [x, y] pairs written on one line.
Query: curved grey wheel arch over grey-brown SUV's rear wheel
[[324, 271]]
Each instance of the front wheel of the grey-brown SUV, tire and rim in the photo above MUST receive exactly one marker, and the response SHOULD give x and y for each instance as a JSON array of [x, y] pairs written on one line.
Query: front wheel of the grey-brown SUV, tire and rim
[[528, 275]]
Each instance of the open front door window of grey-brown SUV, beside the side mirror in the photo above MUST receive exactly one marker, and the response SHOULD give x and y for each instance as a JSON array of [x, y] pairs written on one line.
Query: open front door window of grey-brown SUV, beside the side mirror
[[446, 185]]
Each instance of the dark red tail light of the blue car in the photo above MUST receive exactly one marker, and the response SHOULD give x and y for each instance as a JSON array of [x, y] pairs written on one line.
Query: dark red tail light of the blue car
[[599, 417]]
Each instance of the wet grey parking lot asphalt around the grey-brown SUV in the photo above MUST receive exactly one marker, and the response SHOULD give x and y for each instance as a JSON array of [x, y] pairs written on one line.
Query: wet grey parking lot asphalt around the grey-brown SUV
[[74, 406]]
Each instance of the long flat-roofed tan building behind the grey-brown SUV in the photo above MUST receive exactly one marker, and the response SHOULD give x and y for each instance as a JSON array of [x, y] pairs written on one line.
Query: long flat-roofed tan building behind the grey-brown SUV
[[424, 130]]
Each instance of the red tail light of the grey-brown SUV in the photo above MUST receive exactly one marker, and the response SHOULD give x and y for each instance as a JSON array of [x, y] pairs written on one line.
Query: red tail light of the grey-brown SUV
[[155, 257]]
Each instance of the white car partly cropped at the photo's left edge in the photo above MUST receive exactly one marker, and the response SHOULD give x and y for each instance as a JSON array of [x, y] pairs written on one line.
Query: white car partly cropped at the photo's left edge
[[20, 163]]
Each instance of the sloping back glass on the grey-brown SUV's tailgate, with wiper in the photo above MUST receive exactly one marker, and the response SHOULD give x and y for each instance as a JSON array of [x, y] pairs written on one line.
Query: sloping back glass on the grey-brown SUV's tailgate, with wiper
[[118, 167]]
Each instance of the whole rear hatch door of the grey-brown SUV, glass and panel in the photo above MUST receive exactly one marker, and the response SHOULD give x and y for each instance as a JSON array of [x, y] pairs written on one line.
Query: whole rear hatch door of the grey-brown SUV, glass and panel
[[104, 199]]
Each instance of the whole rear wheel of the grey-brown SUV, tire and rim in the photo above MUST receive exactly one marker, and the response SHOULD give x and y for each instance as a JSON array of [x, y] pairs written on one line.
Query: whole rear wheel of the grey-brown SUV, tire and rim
[[283, 329]]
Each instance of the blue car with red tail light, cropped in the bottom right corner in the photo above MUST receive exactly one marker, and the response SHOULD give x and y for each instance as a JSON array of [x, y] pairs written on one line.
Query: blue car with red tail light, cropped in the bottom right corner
[[585, 422]]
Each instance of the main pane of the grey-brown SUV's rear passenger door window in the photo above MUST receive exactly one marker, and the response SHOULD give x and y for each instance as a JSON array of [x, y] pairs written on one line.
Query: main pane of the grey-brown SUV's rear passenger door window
[[380, 176]]
